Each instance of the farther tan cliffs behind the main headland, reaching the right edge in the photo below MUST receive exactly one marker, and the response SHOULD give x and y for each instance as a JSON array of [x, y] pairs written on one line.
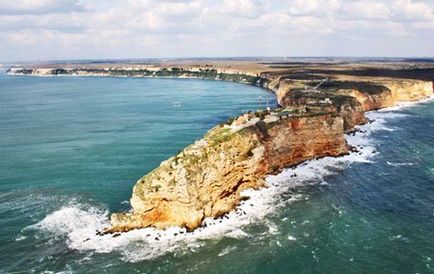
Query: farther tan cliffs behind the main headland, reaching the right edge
[[351, 100]]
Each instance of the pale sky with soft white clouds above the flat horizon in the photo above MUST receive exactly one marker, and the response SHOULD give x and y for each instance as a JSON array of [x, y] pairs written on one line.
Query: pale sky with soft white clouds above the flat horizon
[[39, 30]]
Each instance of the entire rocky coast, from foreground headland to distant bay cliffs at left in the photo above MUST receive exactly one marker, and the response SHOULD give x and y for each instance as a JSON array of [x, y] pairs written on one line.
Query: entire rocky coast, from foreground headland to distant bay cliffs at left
[[207, 179]]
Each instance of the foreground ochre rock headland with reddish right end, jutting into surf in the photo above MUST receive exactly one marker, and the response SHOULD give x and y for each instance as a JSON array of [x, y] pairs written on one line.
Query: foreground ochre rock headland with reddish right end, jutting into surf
[[208, 177]]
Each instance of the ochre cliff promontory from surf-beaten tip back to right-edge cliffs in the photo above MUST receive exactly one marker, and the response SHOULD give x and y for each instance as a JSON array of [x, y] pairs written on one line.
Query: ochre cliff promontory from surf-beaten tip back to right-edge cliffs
[[208, 177]]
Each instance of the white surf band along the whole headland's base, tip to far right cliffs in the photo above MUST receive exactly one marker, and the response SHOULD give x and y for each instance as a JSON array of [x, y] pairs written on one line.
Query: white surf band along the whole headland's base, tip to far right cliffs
[[78, 223]]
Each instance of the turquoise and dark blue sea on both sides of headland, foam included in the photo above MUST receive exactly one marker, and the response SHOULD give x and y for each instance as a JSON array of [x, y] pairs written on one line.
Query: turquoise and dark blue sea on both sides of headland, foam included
[[72, 148]]
